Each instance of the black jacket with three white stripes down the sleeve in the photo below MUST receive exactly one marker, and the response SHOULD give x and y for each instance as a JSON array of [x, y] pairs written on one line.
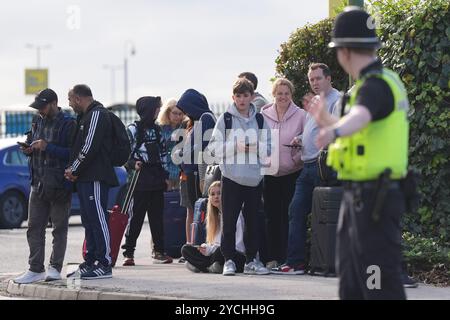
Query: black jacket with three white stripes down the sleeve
[[89, 157]]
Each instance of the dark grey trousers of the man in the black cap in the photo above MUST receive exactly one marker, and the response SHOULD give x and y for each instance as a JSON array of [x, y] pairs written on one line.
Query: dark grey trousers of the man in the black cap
[[39, 211]]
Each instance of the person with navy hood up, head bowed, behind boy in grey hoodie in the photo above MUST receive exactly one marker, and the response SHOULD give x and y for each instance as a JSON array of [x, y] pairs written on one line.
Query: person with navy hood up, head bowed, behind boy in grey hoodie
[[195, 106]]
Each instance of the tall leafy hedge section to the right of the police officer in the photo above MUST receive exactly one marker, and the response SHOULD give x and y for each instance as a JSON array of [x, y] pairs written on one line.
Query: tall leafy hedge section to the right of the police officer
[[416, 35]]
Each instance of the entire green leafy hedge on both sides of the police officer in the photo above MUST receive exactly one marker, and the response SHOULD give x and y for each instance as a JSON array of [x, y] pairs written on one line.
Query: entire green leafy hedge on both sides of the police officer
[[416, 35]]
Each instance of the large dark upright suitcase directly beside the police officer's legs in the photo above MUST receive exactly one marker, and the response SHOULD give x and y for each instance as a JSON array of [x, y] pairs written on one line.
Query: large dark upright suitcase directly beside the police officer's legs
[[324, 218]]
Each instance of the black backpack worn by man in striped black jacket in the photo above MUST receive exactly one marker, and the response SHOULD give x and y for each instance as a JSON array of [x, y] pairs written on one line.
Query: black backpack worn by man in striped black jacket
[[121, 147]]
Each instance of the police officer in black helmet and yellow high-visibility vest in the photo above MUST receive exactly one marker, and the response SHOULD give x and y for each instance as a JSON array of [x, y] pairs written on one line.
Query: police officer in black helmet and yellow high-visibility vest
[[370, 154]]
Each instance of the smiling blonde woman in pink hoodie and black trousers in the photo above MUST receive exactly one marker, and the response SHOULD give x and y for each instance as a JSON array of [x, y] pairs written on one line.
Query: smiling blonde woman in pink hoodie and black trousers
[[289, 119]]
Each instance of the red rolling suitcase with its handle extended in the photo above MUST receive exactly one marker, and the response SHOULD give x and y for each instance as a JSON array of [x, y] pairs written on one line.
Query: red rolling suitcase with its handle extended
[[118, 221]]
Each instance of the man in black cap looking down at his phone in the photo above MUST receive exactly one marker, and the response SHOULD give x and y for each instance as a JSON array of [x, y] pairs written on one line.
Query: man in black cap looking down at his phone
[[49, 146]]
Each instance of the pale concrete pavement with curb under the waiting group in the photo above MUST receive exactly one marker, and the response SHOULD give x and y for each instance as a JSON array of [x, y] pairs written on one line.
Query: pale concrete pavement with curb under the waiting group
[[173, 281]]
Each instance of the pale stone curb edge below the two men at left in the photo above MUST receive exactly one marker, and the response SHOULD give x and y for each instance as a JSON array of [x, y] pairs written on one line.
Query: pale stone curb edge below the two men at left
[[57, 293]]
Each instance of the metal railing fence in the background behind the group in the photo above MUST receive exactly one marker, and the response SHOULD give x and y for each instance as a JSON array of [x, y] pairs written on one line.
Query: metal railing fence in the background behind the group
[[17, 123]]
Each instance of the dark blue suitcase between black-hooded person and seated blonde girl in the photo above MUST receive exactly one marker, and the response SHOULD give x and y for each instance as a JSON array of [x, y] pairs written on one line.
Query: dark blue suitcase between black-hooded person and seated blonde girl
[[174, 224]]
